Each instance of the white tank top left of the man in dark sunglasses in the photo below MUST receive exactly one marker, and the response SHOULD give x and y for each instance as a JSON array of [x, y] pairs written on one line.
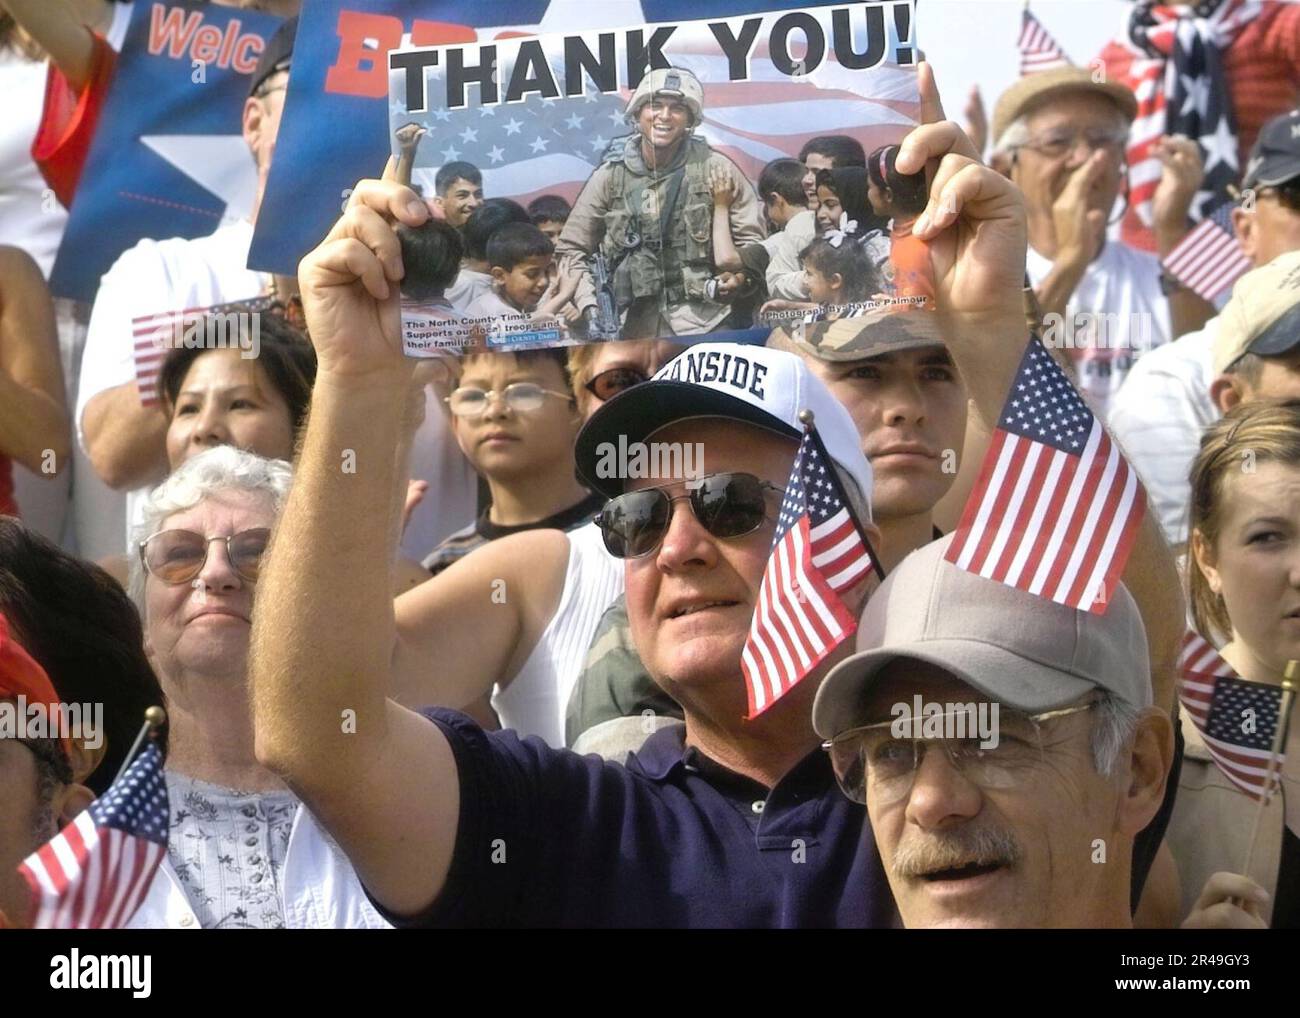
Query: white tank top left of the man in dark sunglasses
[[536, 700]]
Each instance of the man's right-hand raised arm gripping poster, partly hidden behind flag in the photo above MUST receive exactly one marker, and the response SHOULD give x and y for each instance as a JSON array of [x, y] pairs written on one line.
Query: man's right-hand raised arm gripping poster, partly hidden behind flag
[[976, 226]]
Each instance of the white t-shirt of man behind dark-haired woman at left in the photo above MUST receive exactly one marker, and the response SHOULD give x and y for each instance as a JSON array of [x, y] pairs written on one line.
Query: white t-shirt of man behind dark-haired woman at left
[[150, 279]]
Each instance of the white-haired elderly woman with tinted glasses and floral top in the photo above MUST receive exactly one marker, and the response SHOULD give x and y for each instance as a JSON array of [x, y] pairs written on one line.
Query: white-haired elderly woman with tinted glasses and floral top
[[242, 854]]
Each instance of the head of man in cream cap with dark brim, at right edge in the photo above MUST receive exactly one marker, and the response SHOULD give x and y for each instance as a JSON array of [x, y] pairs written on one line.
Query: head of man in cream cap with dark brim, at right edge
[[1256, 350]]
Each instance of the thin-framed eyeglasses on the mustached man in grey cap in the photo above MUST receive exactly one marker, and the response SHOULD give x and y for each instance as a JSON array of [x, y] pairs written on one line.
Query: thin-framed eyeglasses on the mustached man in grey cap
[[873, 757]]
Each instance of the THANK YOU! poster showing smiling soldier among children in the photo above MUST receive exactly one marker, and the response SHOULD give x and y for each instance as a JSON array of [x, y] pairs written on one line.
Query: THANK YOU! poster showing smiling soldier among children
[[682, 181]]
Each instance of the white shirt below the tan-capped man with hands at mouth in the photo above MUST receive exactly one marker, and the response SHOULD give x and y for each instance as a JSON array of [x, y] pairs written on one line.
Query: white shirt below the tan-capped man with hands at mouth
[[1159, 417]]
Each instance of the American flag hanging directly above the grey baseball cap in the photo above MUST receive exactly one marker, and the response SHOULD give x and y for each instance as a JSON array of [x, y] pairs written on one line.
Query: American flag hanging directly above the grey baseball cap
[[1056, 508]]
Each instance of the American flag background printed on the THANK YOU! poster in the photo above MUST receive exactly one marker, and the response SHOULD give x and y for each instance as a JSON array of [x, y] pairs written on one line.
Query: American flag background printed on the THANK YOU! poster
[[552, 146]]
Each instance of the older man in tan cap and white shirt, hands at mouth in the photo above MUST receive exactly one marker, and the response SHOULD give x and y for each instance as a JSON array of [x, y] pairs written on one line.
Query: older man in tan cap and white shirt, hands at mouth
[[1061, 137]]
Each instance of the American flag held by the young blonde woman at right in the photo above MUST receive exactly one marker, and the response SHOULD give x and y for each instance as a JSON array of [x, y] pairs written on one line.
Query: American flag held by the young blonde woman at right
[[1237, 720]]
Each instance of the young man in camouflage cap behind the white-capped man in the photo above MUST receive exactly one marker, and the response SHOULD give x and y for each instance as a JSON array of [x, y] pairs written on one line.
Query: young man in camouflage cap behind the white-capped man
[[894, 374]]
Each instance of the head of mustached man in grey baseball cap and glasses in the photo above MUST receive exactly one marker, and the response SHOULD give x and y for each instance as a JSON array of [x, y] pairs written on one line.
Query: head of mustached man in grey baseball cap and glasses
[[1006, 747]]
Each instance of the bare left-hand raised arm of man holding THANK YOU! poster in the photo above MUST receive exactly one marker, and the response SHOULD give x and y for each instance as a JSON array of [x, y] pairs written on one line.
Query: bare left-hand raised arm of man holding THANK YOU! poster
[[380, 778]]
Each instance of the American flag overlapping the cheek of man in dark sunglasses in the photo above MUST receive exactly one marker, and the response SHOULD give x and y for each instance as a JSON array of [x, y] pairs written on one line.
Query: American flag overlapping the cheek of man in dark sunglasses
[[817, 553]]
